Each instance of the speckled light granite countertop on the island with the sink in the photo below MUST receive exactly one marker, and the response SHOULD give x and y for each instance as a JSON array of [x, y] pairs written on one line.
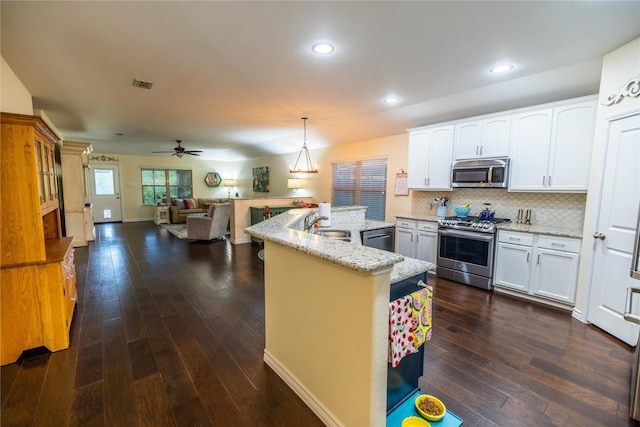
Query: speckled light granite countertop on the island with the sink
[[286, 229]]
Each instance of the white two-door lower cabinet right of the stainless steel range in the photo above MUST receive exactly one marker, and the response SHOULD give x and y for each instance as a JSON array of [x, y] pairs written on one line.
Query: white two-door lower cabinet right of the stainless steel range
[[541, 266]]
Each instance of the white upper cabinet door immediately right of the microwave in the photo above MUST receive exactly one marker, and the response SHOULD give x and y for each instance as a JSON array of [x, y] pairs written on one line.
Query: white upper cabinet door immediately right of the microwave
[[530, 140]]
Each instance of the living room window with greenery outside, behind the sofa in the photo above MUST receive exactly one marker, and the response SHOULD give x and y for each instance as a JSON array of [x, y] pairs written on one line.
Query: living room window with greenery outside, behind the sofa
[[158, 184]]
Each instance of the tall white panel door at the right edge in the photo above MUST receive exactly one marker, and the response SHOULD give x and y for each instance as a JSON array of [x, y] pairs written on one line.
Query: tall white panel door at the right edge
[[613, 240]]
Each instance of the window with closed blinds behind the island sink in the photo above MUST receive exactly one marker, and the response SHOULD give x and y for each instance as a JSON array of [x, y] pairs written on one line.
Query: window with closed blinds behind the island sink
[[362, 182]]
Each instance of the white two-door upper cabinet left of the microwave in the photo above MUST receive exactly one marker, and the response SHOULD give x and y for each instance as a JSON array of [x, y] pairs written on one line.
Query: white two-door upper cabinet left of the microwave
[[430, 158]]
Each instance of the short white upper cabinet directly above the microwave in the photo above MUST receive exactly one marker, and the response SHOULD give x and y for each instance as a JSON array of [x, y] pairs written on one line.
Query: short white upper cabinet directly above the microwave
[[486, 138]]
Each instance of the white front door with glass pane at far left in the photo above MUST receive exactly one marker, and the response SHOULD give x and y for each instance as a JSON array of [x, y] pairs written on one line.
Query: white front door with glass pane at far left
[[105, 194]]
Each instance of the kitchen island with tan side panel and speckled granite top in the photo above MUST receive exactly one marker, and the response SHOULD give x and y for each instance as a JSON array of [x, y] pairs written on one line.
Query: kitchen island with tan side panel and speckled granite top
[[327, 313]]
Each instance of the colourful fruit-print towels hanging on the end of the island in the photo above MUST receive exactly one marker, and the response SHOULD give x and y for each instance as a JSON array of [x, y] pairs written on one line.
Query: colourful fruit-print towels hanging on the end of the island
[[409, 323]]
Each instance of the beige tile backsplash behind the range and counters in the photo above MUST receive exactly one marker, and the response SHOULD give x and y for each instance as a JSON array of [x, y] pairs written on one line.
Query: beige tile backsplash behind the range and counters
[[553, 209]]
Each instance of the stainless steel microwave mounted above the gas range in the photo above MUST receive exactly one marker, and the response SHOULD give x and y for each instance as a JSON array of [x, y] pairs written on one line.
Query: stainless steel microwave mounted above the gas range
[[487, 173]]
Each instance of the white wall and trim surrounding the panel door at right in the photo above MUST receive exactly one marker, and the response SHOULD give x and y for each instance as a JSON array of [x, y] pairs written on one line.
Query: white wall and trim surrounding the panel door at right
[[618, 67]]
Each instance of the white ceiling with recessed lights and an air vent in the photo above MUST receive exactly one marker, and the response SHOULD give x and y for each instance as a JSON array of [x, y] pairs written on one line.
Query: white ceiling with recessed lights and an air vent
[[234, 78]]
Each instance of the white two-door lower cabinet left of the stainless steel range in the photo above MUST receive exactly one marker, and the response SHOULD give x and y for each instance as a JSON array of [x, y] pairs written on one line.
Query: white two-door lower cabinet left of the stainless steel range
[[417, 239]]
